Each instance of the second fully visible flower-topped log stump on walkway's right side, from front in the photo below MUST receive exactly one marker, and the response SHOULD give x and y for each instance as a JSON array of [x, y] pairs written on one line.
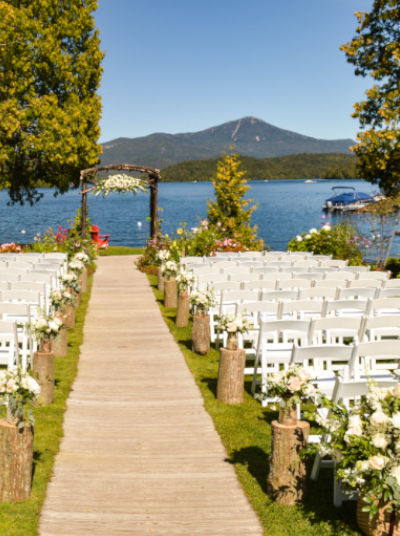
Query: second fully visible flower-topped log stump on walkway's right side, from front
[[230, 386]]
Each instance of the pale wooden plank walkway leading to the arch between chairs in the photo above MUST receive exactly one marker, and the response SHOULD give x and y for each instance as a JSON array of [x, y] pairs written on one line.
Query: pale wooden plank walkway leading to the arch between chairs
[[140, 455]]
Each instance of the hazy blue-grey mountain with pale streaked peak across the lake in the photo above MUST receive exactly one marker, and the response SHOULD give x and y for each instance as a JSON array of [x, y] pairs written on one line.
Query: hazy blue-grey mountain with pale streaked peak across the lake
[[248, 136]]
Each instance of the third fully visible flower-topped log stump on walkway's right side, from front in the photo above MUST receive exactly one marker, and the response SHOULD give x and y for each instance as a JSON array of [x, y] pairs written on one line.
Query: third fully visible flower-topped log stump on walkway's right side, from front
[[201, 301]]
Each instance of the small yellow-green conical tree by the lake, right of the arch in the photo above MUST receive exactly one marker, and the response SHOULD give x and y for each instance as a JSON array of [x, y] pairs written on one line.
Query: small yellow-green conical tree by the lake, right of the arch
[[230, 211]]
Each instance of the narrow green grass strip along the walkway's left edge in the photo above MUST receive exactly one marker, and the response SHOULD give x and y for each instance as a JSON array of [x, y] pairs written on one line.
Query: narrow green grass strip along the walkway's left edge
[[22, 518]]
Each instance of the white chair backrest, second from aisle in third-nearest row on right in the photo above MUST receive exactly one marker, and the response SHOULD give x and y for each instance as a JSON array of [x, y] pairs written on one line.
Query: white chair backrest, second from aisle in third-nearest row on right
[[335, 329]]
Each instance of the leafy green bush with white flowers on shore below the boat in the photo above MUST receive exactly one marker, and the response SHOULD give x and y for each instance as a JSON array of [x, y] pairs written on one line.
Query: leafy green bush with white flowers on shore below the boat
[[340, 241]]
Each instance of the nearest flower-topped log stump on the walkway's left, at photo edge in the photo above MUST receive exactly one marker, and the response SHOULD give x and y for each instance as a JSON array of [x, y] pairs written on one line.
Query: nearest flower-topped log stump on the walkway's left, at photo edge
[[17, 390]]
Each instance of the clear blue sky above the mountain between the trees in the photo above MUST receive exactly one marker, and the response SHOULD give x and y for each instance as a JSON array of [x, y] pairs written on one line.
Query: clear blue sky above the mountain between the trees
[[186, 65]]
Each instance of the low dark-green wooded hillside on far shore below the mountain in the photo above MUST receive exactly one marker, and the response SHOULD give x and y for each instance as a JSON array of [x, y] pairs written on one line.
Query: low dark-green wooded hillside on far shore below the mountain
[[296, 166]]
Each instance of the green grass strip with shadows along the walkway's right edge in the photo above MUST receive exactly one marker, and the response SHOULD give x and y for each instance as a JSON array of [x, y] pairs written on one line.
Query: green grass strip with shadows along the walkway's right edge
[[245, 431]]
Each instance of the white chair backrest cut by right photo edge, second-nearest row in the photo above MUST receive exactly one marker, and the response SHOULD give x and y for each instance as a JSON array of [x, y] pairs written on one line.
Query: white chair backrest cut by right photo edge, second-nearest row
[[374, 358]]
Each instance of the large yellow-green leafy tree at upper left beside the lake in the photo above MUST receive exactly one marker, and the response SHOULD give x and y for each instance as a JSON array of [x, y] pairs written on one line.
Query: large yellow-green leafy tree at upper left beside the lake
[[49, 108]]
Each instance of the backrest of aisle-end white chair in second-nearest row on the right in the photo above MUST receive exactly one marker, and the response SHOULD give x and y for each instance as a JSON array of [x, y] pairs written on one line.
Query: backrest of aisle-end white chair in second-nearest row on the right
[[323, 357]]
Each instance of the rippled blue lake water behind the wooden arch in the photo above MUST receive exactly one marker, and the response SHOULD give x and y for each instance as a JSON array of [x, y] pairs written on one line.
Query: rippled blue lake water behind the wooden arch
[[285, 209]]
